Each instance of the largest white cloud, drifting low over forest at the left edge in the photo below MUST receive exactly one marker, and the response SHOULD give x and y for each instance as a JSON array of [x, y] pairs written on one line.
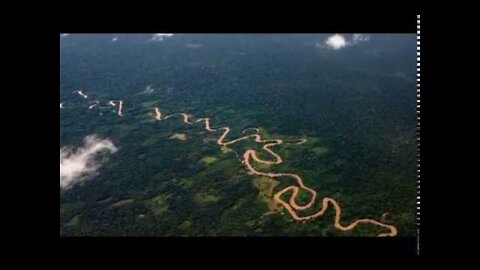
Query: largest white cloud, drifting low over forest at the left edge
[[76, 166]]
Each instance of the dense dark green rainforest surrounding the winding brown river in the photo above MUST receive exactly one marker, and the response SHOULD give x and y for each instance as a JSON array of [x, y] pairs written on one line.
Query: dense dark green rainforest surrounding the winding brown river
[[355, 106]]
